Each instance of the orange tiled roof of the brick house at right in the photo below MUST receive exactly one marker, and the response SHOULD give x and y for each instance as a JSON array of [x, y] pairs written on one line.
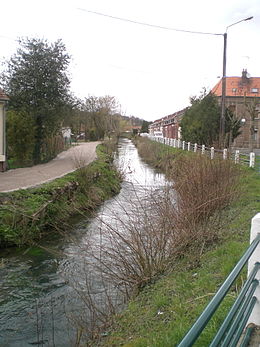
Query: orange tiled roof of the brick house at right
[[239, 86]]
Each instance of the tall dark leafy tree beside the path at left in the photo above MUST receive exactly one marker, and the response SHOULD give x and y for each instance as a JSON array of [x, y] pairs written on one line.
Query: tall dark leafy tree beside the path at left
[[37, 83]]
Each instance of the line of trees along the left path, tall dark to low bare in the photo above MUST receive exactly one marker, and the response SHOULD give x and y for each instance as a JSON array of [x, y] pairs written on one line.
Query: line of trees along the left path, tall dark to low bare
[[36, 79]]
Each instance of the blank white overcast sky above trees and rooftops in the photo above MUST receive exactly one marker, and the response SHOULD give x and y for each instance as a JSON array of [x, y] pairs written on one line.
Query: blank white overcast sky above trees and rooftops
[[152, 72]]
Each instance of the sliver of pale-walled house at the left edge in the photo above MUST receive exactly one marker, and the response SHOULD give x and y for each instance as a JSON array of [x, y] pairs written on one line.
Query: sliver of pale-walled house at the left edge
[[3, 101]]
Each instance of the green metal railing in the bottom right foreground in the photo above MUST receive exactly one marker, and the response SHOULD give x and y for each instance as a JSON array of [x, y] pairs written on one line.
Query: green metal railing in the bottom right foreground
[[232, 327]]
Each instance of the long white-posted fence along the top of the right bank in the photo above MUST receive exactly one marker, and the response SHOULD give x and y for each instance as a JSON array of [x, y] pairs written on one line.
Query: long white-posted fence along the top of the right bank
[[242, 158]]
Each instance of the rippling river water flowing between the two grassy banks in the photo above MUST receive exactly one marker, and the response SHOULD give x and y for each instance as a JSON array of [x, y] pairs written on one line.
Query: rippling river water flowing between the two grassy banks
[[38, 300]]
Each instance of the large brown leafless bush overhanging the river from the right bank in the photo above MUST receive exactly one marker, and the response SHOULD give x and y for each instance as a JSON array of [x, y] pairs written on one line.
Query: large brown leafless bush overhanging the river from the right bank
[[144, 236]]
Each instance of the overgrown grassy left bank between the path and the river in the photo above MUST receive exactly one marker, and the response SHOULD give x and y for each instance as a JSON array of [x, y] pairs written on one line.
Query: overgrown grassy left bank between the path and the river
[[26, 215]]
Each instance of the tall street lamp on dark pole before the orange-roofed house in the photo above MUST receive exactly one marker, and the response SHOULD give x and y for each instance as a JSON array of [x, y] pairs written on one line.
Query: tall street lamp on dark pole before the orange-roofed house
[[223, 99]]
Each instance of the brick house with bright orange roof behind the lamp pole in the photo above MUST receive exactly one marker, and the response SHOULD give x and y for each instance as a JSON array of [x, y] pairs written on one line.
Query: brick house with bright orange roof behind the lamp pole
[[243, 99]]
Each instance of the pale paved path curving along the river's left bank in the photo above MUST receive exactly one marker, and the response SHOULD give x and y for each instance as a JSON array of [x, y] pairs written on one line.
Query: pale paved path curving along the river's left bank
[[65, 162]]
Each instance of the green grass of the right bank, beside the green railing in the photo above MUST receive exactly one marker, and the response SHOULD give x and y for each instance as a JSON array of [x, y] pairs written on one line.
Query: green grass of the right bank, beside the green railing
[[163, 311]]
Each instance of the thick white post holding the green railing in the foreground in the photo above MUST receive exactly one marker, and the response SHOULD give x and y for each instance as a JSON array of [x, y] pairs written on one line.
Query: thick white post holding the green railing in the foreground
[[255, 229]]
